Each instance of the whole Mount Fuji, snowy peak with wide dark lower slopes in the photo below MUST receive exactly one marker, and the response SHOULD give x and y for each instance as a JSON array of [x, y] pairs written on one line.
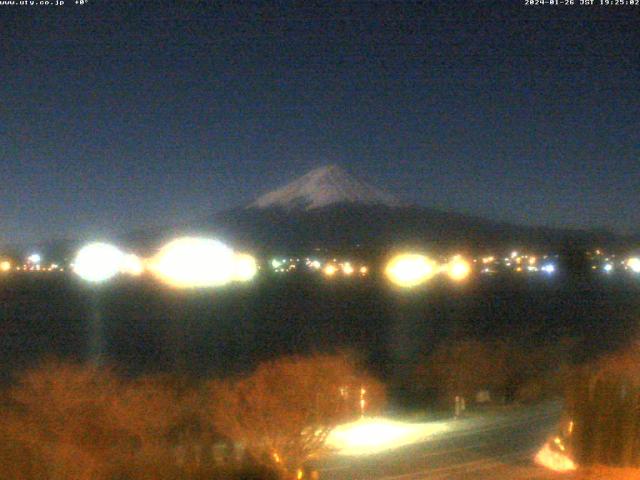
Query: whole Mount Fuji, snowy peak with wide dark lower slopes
[[328, 208]]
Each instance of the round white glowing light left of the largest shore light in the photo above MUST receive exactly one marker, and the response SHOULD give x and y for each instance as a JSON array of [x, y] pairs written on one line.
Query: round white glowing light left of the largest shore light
[[98, 262]]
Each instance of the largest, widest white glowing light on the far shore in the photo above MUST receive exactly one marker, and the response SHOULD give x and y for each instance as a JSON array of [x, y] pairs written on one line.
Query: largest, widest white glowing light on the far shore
[[192, 262]]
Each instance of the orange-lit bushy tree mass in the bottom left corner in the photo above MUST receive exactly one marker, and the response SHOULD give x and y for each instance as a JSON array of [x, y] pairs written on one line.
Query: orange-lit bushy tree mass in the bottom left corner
[[82, 421]]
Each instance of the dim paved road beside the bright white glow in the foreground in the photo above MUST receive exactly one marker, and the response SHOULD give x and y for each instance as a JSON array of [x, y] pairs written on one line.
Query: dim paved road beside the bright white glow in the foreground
[[494, 446]]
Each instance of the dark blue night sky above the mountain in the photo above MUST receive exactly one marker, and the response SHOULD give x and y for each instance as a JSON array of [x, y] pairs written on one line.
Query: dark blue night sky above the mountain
[[121, 114]]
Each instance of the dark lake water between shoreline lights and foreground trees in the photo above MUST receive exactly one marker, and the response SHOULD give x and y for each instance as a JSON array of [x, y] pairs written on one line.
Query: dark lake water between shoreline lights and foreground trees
[[147, 328]]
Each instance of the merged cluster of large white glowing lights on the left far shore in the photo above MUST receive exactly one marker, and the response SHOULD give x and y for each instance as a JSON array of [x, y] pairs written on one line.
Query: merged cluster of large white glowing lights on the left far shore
[[188, 262]]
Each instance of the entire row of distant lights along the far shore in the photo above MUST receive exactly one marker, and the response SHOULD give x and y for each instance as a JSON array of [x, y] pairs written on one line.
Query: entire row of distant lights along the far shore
[[202, 262]]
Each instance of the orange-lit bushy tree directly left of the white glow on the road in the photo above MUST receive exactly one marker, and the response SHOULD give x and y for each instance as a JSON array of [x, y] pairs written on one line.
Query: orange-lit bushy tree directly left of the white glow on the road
[[282, 413]]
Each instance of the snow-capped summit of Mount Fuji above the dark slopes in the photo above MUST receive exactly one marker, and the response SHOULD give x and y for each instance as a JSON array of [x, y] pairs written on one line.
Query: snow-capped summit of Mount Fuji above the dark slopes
[[325, 186]]
